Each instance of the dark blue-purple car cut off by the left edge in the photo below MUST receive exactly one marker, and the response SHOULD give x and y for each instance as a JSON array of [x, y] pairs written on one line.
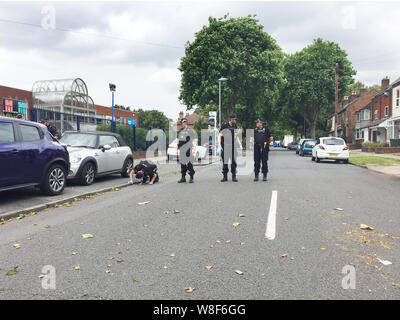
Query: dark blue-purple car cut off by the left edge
[[30, 156]]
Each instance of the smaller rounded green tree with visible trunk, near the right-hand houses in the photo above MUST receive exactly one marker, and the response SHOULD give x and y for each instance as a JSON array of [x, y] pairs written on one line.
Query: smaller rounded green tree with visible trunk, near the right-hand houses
[[310, 75]]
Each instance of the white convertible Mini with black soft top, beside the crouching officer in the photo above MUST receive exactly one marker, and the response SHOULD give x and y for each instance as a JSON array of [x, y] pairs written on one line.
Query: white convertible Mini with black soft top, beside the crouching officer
[[94, 154]]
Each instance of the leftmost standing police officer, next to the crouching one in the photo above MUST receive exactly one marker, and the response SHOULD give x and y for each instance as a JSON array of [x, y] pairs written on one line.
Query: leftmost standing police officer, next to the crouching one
[[187, 141]]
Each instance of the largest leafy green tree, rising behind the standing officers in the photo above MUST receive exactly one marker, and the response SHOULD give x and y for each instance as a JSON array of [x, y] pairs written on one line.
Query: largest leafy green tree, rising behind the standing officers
[[238, 49]]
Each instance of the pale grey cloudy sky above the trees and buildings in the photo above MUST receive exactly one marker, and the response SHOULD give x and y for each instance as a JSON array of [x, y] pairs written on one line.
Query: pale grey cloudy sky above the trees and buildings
[[138, 45]]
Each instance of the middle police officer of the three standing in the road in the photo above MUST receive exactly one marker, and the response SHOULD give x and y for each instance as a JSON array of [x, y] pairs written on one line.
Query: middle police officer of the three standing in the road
[[228, 140]]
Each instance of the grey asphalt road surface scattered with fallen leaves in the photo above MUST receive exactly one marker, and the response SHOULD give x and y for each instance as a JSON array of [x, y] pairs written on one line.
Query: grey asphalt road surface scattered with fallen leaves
[[161, 253]]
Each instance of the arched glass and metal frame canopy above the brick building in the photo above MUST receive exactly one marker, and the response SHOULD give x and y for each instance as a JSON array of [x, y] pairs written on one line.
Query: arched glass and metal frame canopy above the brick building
[[57, 95]]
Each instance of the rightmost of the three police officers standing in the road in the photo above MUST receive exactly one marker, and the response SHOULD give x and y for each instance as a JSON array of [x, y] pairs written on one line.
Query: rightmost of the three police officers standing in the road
[[262, 137]]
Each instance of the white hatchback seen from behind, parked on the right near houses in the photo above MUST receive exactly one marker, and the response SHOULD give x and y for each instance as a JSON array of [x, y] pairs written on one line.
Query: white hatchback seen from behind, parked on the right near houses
[[331, 148]]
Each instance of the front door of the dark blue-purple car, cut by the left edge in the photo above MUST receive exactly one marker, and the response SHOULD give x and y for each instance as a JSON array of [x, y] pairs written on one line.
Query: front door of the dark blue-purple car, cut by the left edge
[[10, 160]]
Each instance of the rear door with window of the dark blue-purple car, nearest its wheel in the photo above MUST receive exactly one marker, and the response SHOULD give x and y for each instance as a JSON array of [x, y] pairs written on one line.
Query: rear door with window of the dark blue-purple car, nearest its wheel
[[33, 160]]
